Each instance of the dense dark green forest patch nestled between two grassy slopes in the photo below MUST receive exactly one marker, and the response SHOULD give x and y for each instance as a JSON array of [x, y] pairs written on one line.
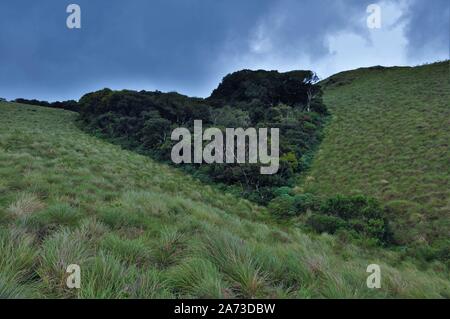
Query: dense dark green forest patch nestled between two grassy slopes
[[290, 101]]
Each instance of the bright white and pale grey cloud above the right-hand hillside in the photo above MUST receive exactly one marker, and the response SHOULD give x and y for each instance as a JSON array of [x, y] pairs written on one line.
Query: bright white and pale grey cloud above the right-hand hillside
[[341, 39]]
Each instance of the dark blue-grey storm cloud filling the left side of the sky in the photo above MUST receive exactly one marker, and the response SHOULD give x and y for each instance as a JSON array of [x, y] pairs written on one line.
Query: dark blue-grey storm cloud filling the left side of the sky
[[168, 43]]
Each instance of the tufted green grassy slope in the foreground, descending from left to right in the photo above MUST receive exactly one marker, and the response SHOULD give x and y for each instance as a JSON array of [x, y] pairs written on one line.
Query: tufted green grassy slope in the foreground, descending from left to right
[[141, 229]]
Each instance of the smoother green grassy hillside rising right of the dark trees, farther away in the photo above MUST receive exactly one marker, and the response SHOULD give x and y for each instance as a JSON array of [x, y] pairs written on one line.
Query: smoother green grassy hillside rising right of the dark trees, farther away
[[389, 138]]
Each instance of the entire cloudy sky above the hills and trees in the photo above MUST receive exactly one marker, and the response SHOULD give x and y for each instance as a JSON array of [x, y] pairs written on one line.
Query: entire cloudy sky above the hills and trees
[[188, 46]]
